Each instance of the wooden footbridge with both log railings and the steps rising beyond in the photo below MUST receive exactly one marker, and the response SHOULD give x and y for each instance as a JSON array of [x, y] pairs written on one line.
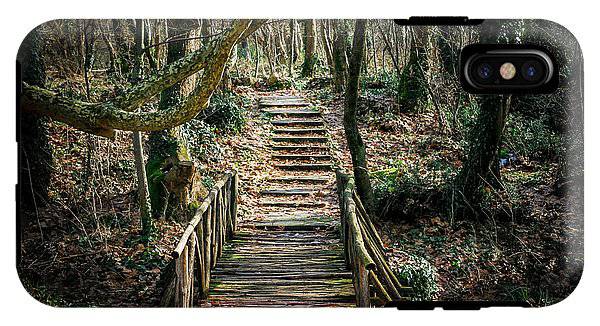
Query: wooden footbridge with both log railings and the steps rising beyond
[[297, 252]]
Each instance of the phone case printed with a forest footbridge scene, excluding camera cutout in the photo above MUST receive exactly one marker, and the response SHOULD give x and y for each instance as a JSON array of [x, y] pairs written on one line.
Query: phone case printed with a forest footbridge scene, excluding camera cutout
[[282, 162]]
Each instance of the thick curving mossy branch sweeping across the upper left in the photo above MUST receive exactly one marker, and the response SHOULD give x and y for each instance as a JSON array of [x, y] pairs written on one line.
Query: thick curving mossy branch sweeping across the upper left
[[103, 119]]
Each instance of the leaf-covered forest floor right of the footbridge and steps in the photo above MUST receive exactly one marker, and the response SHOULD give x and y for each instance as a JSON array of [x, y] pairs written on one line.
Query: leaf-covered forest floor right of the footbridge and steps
[[532, 252]]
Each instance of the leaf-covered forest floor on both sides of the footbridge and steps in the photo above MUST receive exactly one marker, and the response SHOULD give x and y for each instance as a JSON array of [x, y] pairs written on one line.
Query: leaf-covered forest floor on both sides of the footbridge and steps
[[93, 257]]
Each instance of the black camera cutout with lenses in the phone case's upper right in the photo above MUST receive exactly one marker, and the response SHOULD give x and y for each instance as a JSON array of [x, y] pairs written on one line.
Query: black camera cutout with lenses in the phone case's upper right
[[501, 69]]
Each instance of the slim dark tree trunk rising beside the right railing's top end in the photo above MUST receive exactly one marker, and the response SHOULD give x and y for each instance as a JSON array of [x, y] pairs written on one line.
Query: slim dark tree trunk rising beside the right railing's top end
[[355, 143]]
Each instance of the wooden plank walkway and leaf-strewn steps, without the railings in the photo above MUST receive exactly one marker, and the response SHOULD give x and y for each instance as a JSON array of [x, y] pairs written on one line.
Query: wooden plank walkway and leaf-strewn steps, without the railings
[[292, 254]]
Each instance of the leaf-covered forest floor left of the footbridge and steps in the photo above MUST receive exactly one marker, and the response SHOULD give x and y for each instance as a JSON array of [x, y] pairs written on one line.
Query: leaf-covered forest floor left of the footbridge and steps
[[88, 252]]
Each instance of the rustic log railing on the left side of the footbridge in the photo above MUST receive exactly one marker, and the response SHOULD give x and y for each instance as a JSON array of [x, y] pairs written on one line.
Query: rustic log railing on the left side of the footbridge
[[202, 243]]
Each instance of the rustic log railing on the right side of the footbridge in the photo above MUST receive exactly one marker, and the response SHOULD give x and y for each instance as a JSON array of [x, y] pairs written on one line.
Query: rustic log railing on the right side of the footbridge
[[374, 282]]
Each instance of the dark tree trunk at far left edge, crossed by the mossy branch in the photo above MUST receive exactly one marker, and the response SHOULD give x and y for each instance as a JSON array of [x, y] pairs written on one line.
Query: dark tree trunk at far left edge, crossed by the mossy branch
[[35, 154]]
